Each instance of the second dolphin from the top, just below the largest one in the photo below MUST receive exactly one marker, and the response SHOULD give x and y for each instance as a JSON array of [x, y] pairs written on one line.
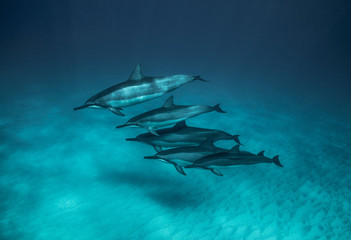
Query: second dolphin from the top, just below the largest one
[[168, 114]]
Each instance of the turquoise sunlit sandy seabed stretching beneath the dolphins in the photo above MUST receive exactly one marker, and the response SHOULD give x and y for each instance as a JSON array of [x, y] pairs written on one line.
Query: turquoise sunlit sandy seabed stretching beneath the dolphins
[[71, 175]]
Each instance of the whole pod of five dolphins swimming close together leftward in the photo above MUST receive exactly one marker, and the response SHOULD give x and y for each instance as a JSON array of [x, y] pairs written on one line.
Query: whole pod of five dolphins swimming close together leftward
[[188, 147]]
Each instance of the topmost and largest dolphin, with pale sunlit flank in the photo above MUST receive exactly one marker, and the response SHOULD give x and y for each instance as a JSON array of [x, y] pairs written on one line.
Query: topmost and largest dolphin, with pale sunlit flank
[[137, 89]]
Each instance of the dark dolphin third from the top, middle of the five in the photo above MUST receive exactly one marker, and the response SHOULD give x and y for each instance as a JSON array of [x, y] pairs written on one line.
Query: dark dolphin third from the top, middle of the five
[[181, 135]]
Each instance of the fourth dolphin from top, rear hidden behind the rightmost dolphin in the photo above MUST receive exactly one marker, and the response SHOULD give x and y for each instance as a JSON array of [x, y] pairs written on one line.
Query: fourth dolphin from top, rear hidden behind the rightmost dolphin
[[184, 156]]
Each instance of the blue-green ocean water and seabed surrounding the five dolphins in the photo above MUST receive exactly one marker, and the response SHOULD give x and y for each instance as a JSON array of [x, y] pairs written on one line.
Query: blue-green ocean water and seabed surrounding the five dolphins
[[281, 70]]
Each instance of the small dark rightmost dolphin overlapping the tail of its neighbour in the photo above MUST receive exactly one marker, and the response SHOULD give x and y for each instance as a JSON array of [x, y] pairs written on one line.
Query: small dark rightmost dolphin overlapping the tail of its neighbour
[[232, 158]]
